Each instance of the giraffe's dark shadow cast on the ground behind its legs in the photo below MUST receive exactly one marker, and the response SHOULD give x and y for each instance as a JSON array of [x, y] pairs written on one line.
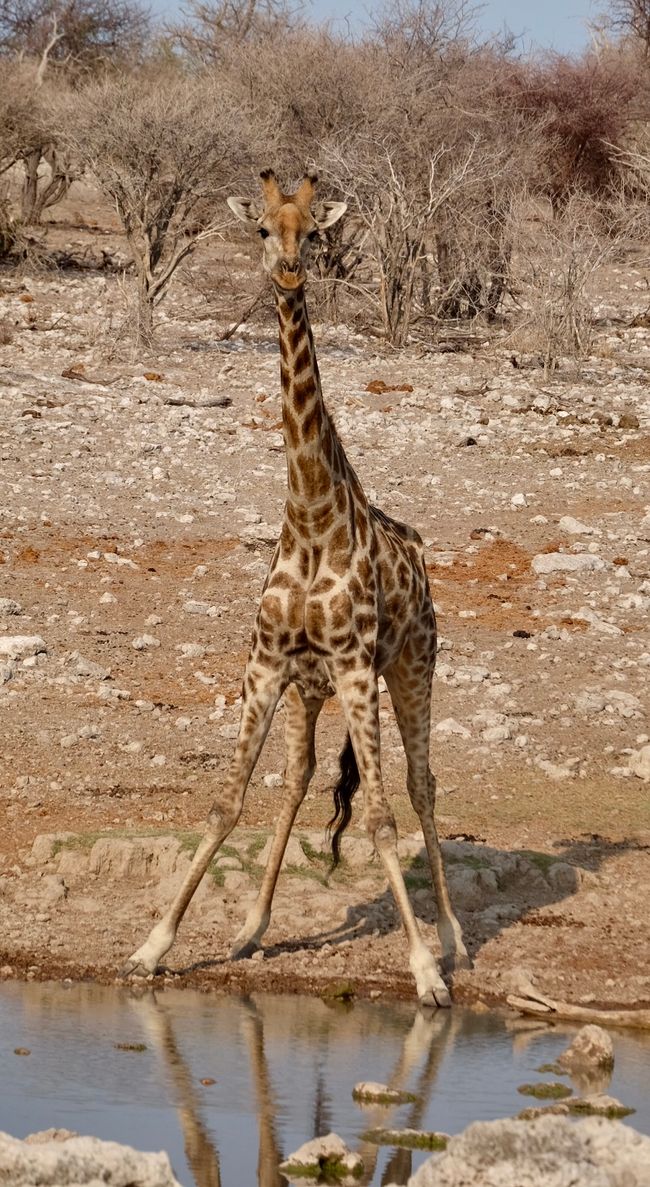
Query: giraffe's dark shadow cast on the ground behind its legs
[[492, 891]]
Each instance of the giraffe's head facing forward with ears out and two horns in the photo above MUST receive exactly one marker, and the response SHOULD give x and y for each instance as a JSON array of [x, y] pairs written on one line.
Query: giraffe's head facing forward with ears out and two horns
[[288, 225]]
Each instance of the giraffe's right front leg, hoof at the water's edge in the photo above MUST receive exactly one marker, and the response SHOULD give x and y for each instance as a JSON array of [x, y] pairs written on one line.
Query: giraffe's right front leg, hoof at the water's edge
[[359, 695]]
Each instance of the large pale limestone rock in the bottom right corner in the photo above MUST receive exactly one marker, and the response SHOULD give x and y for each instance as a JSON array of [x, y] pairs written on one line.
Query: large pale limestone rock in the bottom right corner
[[550, 1152]]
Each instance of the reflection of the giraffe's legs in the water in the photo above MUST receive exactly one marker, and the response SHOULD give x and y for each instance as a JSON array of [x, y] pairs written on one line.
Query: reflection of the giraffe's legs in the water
[[425, 1046]]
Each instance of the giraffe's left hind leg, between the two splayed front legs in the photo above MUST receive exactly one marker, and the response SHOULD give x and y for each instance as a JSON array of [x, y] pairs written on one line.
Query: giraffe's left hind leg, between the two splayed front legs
[[299, 733]]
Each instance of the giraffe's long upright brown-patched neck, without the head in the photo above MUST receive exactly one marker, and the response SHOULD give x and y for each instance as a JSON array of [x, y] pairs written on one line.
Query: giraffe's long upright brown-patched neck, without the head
[[316, 462]]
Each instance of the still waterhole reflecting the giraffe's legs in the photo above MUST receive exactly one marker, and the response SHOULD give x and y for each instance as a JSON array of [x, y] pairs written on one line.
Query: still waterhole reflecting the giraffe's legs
[[230, 1087]]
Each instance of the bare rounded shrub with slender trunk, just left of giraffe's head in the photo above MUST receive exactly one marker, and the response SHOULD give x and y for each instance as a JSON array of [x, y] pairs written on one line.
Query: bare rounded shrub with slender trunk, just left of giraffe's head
[[165, 150]]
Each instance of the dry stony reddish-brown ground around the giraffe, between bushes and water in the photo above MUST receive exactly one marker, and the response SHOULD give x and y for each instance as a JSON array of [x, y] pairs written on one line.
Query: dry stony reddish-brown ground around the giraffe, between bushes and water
[[137, 522]]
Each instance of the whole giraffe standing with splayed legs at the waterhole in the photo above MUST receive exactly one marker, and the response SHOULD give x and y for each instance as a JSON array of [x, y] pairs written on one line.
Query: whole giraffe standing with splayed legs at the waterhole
[[346, 600]]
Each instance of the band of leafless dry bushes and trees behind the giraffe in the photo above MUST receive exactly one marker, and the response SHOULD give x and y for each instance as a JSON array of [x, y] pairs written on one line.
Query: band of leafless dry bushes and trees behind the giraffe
[[486, 189]]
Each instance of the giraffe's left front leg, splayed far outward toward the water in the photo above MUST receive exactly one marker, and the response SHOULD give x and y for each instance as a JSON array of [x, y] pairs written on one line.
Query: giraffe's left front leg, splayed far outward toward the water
[[263, 690]]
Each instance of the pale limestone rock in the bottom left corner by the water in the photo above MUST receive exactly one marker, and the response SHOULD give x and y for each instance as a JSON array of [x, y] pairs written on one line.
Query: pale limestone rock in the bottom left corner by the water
[[81, 1163]]
